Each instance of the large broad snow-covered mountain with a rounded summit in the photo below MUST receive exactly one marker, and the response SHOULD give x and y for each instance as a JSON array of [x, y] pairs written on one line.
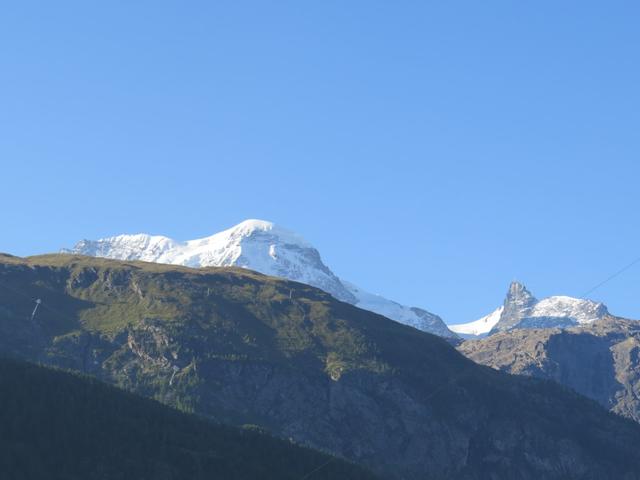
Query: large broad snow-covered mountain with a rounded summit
[[266, 248]]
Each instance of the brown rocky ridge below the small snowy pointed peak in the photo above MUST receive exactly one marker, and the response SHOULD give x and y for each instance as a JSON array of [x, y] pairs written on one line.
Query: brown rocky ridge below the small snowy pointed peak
[[600, 360]]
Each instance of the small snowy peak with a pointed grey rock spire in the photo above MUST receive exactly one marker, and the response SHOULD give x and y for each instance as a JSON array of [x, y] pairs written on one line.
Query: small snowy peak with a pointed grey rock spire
[[522, 310]]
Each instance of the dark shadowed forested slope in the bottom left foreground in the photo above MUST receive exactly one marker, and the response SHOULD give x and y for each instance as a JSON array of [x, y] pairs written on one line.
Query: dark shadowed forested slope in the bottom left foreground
[[59, 426]]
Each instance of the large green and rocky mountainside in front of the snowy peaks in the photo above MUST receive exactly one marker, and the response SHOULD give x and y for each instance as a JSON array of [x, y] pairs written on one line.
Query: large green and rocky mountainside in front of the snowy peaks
[[245, 348]]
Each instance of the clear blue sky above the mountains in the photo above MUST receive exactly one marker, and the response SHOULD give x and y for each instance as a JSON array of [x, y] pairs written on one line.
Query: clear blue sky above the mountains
[[432, 151]]
